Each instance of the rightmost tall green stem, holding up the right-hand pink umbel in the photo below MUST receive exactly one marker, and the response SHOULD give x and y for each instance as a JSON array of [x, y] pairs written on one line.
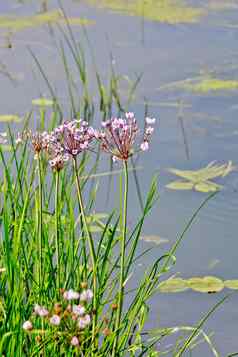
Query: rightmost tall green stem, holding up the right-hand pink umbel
[[122, 263]]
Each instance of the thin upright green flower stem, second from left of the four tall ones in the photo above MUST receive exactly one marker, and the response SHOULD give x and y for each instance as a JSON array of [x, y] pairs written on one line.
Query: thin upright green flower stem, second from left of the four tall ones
[[57, 247]]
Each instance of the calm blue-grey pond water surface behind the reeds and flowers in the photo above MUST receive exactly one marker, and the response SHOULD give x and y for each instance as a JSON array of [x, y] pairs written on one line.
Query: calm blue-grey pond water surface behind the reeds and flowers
[[167, 52]]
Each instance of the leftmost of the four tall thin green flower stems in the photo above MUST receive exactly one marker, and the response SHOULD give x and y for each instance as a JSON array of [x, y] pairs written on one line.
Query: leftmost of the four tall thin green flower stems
[[40, 236]]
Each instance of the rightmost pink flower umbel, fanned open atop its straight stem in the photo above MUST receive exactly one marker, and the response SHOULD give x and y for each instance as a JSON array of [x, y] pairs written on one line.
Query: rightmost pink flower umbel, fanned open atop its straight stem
[[119, 135]]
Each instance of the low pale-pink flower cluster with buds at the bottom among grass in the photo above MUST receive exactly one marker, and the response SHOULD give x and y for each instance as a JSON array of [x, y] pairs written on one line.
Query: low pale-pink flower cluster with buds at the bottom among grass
[[70, 317]]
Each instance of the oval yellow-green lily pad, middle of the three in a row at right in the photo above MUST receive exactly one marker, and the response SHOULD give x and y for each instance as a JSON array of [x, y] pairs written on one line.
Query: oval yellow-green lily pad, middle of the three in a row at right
[[207, 284]]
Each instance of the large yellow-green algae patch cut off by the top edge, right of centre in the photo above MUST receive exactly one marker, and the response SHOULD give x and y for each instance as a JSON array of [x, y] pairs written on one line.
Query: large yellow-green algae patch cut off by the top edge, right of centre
[[166, 11]]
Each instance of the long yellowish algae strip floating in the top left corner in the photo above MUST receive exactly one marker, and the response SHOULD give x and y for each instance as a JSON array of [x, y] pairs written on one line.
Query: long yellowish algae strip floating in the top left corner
[[16, 23]]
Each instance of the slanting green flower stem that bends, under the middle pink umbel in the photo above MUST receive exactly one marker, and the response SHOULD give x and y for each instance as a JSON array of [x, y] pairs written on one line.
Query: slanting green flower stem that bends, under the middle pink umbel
[[91, 249]]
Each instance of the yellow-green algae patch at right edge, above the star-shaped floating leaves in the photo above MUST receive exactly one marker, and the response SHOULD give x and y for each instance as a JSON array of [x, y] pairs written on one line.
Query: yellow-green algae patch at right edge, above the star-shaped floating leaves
[[211, 85]]
